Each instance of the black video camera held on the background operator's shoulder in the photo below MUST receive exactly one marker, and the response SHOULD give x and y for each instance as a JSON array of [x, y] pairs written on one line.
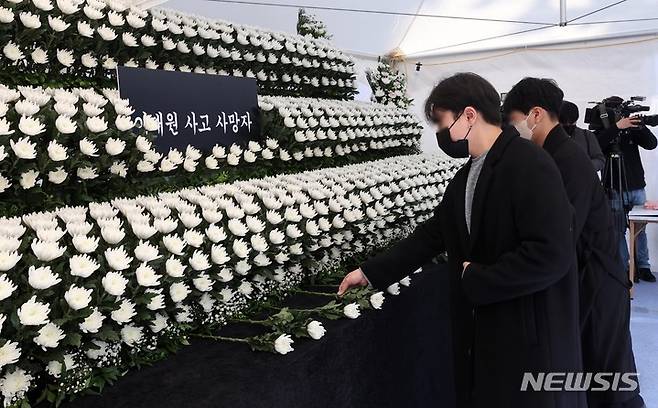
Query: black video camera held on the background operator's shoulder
[[610, 110]]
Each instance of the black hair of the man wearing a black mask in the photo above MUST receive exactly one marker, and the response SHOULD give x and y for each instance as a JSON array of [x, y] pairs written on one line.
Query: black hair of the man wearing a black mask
[[461, 90]]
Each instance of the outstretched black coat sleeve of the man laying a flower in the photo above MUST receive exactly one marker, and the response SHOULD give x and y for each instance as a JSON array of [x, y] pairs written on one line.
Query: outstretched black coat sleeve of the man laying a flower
[[406, 255]]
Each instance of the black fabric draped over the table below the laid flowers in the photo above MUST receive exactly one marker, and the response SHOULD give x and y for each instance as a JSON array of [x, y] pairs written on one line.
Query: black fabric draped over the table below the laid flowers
[[395, 357]]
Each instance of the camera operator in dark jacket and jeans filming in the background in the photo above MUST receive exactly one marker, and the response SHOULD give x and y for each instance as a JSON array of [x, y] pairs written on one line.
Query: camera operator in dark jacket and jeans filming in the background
[[625, 136]]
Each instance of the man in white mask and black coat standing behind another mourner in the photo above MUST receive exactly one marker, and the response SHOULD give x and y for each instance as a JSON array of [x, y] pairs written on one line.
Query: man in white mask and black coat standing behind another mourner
[[604, 285]]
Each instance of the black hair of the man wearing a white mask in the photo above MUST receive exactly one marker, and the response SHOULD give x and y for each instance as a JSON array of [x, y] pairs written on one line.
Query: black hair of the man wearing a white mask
[[531, 92]]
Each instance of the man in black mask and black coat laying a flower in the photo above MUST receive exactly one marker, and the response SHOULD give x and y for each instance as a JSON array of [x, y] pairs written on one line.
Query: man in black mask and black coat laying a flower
[[512, 264]]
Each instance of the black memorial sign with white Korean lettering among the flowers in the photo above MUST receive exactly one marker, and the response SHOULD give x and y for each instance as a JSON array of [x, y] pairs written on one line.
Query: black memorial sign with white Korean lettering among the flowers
[[192, 109]]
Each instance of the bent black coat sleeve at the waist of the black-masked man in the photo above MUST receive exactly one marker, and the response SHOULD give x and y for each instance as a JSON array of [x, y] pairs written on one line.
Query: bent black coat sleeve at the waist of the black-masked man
[[543, 219]]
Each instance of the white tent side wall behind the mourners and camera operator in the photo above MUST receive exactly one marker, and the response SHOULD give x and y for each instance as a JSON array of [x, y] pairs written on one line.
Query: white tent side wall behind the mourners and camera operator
[[585, 72]]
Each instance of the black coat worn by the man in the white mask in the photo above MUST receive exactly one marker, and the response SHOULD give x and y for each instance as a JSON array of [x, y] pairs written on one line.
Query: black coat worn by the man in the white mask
[[604, 284]]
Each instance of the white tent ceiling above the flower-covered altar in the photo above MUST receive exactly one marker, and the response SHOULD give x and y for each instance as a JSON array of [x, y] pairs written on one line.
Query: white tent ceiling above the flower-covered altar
[[464, 25]]
